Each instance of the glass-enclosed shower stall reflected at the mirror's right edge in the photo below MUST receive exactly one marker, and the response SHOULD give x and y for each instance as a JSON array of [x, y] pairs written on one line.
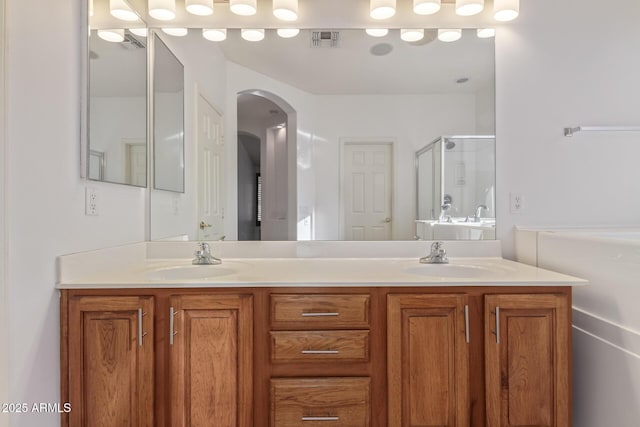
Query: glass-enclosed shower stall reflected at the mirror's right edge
[[456, 188]]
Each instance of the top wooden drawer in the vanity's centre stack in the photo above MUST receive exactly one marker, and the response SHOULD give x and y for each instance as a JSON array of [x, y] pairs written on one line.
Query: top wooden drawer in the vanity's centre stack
[[320, 311]]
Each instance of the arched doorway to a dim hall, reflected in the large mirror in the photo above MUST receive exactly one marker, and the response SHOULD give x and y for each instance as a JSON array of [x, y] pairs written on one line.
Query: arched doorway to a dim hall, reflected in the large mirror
[[266, 167]]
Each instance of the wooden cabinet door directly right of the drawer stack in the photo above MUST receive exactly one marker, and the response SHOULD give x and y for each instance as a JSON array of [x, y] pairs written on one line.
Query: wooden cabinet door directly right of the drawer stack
[[427, 360]]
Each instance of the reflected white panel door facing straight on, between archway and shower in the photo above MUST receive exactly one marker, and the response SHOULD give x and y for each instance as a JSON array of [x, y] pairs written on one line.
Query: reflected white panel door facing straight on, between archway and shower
[[367, 191]]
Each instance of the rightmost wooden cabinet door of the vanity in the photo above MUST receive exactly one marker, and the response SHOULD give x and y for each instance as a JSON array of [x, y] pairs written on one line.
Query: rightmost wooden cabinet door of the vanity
[[527, 360]]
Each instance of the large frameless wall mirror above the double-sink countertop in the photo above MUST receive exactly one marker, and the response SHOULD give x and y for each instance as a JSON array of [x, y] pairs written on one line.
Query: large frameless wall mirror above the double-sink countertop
[[316, 137]]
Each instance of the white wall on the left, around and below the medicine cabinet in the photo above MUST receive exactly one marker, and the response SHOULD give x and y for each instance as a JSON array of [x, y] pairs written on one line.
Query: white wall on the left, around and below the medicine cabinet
[[45, 196]]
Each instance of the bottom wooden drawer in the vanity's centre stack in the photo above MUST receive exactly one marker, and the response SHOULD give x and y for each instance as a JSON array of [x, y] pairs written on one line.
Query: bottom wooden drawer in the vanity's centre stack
[[320, 401]]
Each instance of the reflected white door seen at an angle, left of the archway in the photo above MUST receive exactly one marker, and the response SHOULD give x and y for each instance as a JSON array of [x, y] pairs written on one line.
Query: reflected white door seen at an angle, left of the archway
[[211, 183]]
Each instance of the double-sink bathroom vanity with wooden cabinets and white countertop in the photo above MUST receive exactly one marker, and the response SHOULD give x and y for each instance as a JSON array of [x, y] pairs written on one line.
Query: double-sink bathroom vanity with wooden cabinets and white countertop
[[313, 341]]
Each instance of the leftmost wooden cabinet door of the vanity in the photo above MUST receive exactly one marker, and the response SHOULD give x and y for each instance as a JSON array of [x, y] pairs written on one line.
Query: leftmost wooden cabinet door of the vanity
[[111, 361]]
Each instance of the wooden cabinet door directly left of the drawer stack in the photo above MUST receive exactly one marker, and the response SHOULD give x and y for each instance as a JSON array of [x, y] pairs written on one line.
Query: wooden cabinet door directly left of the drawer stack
[[211, 360]]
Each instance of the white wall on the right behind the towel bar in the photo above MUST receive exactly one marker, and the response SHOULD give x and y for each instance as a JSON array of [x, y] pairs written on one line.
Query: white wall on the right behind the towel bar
[[568, 63]]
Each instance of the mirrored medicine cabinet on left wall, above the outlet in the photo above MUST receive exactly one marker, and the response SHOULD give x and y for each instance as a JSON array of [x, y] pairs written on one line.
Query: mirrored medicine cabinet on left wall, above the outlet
[[116, 149]]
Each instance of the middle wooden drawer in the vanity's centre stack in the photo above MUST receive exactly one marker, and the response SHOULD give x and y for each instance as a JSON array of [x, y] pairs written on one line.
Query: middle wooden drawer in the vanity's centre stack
[[319, 346]]
